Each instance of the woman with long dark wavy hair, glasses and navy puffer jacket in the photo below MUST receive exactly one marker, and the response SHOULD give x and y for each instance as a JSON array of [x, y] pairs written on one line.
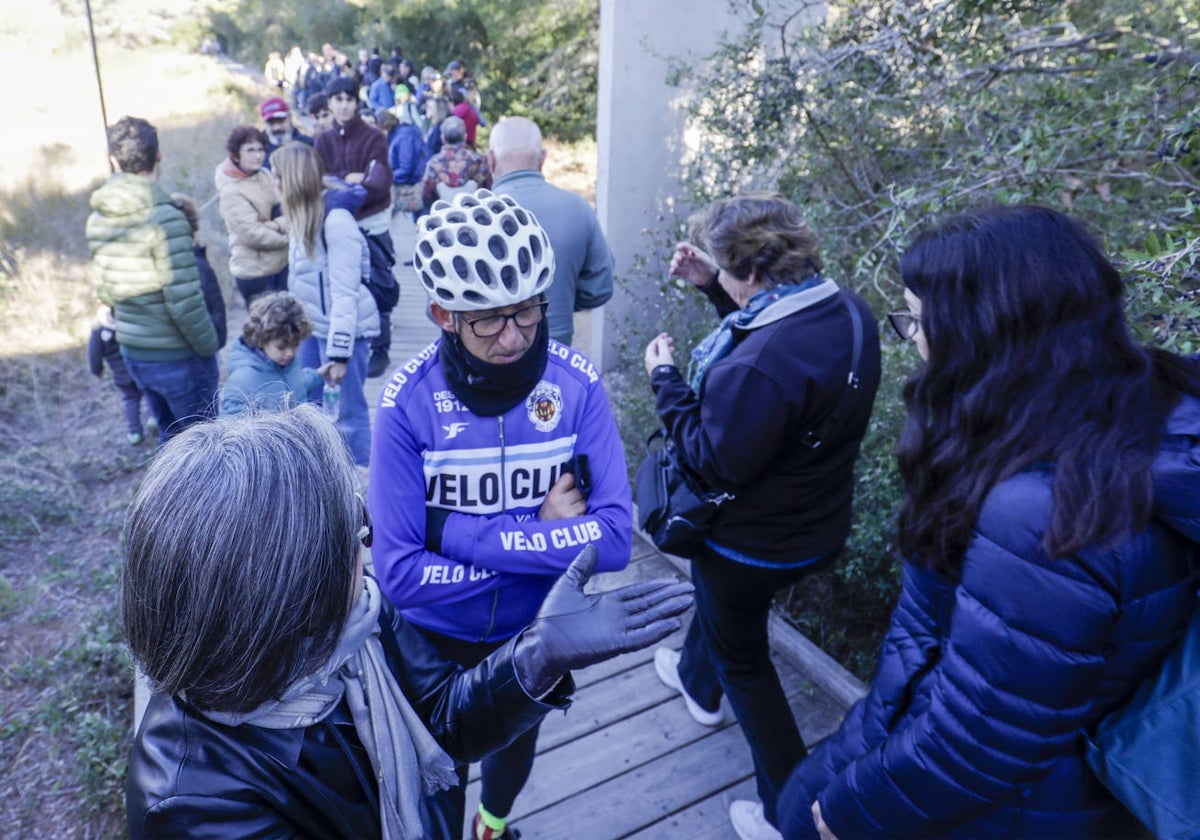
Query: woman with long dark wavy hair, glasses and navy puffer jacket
[[1052, 520]]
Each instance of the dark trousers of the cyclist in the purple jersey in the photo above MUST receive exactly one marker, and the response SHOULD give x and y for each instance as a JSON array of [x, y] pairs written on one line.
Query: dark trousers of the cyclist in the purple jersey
[[502, 773]]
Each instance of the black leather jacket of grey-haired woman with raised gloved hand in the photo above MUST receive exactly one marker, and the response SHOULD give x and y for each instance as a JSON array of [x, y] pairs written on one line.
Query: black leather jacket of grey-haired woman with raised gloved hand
[[193, 778]]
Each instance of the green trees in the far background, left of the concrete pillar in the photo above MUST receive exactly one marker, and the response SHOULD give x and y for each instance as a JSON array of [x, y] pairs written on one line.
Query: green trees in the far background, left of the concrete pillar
[[530, 58]]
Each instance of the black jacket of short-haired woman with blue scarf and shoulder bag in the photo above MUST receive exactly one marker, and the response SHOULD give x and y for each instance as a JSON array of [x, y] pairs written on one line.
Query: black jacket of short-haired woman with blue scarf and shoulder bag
[[745, 433]]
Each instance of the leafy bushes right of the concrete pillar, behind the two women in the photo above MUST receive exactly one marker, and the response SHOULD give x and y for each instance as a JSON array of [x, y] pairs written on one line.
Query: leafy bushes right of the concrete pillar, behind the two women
[[891, 115]]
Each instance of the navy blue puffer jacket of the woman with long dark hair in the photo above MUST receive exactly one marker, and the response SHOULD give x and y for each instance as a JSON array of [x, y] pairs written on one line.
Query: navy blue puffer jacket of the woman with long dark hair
[[973, 727]]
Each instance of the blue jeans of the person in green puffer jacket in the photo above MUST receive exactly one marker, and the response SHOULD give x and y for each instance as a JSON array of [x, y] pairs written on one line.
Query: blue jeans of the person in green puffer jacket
[[179, 393]]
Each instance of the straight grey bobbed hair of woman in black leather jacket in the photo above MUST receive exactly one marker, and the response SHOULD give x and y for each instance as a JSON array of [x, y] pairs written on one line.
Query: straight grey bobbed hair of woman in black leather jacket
[[241, 556]]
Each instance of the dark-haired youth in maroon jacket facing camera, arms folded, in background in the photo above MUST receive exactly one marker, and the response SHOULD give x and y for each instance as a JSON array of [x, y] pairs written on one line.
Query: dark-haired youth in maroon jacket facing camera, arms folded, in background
[[358, 154]]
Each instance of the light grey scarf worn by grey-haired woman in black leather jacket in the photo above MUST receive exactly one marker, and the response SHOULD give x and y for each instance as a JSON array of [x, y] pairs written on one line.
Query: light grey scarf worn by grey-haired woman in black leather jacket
[[406, 760]]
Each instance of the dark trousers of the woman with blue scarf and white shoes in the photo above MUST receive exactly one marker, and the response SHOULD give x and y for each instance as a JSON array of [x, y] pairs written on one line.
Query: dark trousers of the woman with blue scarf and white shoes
[[727, 653]]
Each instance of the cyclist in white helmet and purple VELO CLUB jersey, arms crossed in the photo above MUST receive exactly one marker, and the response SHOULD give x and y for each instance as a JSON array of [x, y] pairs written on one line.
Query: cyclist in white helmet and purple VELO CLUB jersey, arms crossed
[[476, 509]]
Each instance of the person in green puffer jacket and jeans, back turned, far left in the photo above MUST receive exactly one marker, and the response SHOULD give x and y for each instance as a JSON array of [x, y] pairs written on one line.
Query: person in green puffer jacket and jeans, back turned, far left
[[145, 268]]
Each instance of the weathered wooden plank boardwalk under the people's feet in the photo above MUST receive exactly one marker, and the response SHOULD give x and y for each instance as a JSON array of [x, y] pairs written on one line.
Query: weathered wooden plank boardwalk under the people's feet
[[627, 760]]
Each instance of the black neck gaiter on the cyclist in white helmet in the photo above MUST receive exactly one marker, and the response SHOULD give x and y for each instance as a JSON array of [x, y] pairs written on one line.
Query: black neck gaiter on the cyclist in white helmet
[[490, 391]]
